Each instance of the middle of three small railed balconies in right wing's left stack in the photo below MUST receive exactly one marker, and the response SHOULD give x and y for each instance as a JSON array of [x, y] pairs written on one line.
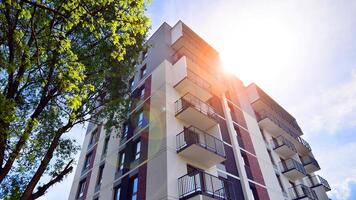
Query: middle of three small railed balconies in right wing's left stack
[[292, 169]]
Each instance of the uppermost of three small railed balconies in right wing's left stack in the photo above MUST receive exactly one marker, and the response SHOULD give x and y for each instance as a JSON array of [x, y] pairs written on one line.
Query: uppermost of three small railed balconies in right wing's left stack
[[283, 147]]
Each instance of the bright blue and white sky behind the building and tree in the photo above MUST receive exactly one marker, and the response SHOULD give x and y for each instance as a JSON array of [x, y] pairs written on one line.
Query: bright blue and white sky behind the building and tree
[[302, 53]]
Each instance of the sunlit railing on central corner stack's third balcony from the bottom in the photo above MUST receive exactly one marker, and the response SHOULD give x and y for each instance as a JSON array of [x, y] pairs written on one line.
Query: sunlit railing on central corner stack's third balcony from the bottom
[[189, 100]]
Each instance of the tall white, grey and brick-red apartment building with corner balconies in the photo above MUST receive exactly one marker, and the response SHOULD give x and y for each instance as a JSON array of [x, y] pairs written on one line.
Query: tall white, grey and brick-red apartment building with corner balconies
[[196, 133]]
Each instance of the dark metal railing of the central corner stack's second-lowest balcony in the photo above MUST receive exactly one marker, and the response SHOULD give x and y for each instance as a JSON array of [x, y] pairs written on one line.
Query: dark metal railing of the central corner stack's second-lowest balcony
[[193, 135]]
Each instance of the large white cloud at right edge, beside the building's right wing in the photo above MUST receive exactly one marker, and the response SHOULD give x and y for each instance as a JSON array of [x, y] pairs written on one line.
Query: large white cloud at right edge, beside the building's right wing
[[329, 110]]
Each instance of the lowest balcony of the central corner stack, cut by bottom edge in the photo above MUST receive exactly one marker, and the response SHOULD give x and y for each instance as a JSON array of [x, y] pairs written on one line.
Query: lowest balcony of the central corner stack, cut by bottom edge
[[201, 185]]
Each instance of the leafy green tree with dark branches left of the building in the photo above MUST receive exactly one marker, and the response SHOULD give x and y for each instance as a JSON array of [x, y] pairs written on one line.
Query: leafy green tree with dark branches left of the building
[[62, 63]]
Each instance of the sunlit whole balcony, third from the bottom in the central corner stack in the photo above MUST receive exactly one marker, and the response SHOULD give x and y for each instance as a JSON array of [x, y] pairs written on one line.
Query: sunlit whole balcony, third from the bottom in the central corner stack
[[193, 111]]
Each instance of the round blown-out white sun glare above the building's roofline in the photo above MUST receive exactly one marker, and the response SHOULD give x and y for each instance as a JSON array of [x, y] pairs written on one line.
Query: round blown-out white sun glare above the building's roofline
[[257, 49]]
